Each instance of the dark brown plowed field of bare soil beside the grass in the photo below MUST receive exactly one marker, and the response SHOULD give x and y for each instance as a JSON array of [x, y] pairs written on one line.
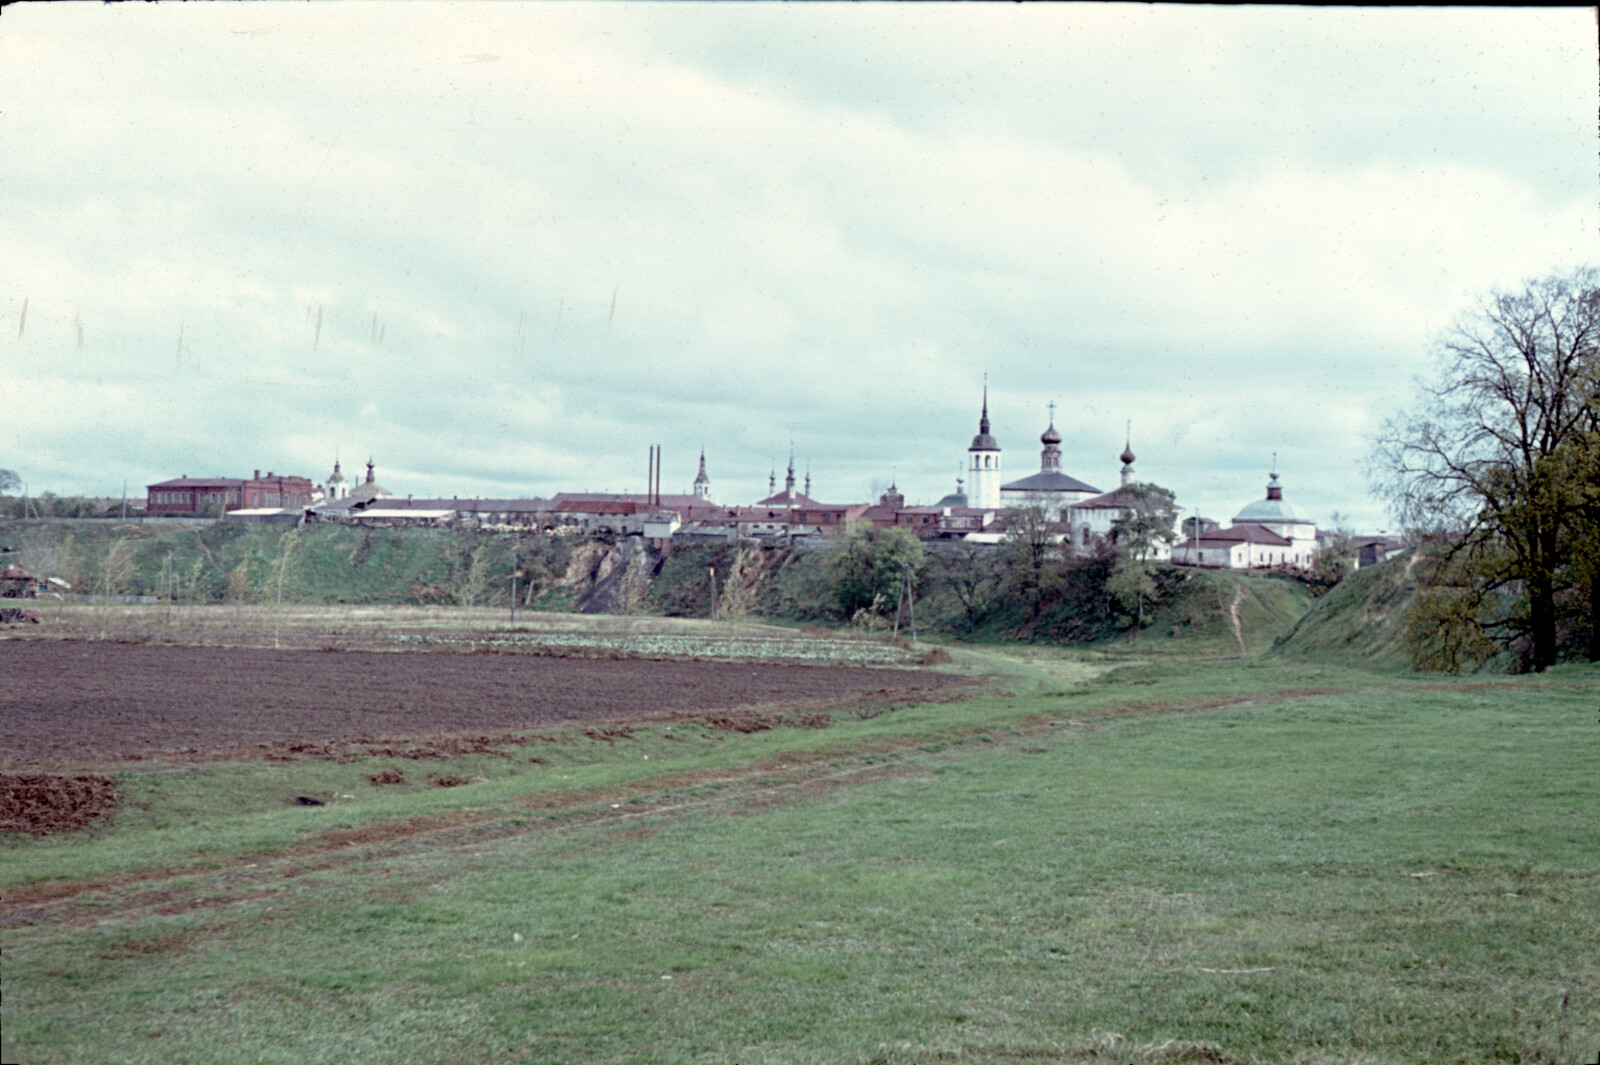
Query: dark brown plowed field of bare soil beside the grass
[[86, 704]]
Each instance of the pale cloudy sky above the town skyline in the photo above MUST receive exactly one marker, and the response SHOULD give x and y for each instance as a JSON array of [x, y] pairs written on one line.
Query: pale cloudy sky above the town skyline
[[503, 249]]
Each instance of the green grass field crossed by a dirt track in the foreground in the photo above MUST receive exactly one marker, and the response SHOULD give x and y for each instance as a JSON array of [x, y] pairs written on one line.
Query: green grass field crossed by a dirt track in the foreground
[[1257, 861]]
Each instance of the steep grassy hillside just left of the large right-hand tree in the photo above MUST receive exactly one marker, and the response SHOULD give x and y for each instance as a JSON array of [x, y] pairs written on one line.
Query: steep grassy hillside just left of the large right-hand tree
[[1359, 623]]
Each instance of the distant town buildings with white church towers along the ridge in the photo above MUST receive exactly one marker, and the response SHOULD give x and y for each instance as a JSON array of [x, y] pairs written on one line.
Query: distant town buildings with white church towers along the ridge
[[1082, 519]]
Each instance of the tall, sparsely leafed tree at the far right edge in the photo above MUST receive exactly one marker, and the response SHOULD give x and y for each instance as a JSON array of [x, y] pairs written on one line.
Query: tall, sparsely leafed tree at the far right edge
[[1476, 463]]
